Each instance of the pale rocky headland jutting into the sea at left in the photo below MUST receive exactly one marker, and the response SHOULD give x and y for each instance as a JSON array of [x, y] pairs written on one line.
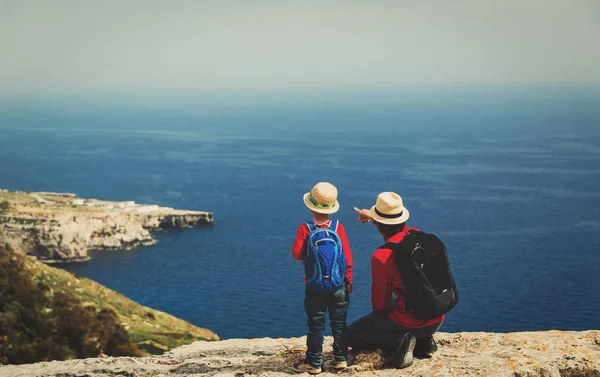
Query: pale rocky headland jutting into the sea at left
[[63, 228]]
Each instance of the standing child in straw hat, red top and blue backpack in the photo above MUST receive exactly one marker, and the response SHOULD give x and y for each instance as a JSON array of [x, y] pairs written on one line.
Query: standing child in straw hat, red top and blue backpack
[[329, 288]]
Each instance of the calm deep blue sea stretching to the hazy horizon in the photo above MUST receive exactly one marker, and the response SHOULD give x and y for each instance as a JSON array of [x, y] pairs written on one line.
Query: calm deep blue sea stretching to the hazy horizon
[[511, 186]]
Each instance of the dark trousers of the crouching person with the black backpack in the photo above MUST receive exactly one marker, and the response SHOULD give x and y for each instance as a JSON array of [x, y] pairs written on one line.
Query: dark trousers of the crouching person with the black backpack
[[377, 330]]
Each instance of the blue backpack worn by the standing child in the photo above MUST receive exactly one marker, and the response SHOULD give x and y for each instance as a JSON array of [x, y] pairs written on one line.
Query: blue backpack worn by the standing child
[[324, 261]]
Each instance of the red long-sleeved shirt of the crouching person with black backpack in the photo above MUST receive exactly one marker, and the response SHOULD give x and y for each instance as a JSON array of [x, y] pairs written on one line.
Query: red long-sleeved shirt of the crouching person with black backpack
[[386, 277]]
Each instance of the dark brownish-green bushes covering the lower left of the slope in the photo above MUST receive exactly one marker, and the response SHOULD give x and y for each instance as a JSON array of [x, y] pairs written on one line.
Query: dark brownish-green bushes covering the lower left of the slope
[[37, 327]]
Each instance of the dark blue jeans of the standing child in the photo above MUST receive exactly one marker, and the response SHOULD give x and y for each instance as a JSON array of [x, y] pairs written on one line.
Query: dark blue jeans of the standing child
[[315, 305]]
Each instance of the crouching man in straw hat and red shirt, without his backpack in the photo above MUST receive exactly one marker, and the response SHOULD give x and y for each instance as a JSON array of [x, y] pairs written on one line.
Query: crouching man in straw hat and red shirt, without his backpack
[[391, 326]]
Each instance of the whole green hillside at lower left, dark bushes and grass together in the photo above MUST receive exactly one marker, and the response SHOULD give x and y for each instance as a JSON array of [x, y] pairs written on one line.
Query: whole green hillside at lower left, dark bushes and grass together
[[47, 313]]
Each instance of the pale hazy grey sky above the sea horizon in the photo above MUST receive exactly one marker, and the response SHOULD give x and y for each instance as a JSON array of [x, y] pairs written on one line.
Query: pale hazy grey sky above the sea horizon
[[55, 46]]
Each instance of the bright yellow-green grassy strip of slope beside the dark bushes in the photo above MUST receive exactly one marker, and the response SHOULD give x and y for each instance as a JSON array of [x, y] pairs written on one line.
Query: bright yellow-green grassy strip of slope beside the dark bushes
[[151, 330]]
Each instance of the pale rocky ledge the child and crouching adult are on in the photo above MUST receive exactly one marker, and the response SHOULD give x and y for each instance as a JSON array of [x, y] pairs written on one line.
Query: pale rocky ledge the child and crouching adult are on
[[526, 354]]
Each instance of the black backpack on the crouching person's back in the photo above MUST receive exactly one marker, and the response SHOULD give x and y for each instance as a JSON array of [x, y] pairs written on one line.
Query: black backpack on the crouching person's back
[[423, 264]]
